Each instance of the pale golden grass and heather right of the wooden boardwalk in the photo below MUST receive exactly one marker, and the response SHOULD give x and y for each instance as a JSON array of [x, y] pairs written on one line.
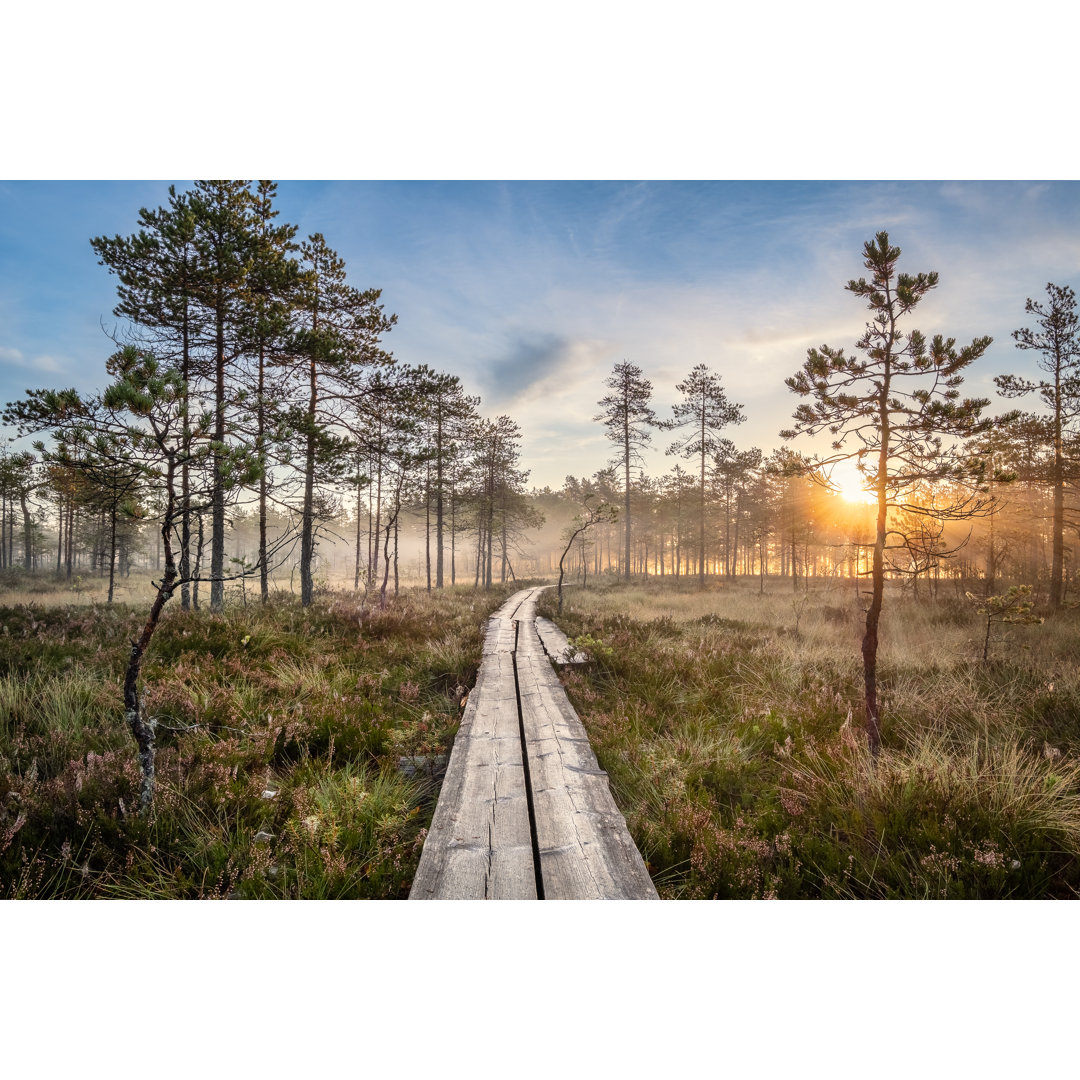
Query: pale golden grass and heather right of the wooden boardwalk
[[735, 746]]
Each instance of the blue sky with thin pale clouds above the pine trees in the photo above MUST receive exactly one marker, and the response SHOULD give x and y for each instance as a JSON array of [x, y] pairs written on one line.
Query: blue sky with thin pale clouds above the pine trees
[[531, 292]]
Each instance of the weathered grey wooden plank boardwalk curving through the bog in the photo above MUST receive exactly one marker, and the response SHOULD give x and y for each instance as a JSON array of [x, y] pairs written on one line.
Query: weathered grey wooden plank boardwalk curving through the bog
[[525, 812]]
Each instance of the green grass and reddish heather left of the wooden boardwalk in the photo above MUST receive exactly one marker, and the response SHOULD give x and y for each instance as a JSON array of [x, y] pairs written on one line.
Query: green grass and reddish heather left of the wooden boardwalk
[[280, 735]]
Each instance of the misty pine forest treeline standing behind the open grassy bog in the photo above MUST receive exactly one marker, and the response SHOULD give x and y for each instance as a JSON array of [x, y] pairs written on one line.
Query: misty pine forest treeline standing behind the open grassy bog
[[302, 450]]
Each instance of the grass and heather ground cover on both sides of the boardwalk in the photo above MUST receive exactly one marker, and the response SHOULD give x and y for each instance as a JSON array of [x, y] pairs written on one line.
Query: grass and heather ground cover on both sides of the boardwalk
[[728, 723]]
